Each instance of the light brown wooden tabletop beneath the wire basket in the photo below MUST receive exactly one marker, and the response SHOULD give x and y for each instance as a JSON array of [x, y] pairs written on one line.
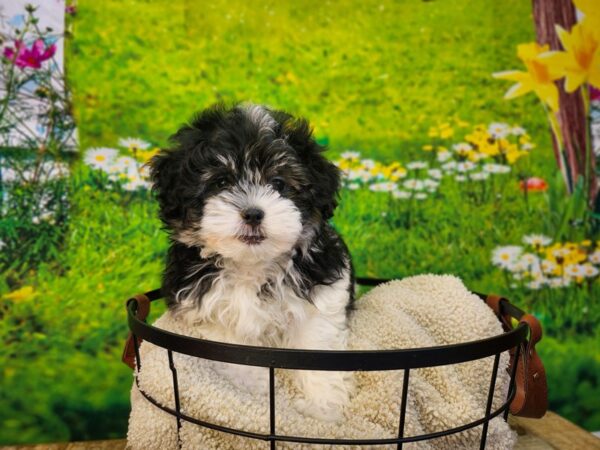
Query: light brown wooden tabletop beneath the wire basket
[[549, 433]]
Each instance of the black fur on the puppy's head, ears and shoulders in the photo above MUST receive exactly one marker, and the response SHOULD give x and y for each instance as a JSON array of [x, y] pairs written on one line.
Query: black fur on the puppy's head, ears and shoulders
[[187, 174]]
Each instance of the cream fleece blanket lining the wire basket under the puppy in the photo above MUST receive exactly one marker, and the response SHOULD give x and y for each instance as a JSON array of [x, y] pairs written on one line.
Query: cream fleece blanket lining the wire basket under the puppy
[[420, 311]]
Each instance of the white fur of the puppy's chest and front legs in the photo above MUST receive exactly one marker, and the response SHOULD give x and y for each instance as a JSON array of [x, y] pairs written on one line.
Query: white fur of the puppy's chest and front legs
[[237, 310]]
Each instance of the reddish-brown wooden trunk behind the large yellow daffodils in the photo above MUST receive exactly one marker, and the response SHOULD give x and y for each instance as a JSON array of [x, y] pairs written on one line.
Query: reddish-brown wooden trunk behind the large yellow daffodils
[[571, 116]]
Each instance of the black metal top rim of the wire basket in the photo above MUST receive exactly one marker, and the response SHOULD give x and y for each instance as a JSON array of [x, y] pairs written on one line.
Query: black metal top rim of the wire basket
[[329, 360]]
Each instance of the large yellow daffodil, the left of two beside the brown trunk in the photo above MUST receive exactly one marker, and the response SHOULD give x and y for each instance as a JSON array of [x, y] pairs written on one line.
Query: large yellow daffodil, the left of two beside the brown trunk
[[539, 78]]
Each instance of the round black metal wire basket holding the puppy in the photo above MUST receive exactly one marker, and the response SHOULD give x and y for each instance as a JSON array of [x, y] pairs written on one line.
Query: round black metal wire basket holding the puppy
[[275, 358]]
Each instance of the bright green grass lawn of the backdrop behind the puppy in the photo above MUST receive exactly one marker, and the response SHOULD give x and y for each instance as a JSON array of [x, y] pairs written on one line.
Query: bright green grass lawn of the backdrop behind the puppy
[[371, 76]]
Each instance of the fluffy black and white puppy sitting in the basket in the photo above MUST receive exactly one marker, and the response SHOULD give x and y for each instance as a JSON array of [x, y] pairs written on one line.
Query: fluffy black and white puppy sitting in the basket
[[246, 195]]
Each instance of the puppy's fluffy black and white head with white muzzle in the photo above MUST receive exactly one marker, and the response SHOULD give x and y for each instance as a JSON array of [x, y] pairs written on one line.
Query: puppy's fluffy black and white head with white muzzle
[[246, 184]]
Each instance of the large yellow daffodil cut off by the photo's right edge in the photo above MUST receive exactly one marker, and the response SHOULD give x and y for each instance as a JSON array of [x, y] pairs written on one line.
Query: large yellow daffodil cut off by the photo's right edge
[[580, 61]]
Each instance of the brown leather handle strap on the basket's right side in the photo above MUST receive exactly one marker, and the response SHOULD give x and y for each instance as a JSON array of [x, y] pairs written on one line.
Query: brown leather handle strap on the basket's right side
[[531, 396]]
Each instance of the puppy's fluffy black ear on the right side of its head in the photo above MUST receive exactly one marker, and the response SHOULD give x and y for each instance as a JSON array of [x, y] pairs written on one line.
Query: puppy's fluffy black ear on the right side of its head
[[325, 176]]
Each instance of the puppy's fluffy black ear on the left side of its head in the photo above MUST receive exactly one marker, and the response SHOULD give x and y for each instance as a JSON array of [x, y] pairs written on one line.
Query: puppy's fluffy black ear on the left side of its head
[[165, 172]]
